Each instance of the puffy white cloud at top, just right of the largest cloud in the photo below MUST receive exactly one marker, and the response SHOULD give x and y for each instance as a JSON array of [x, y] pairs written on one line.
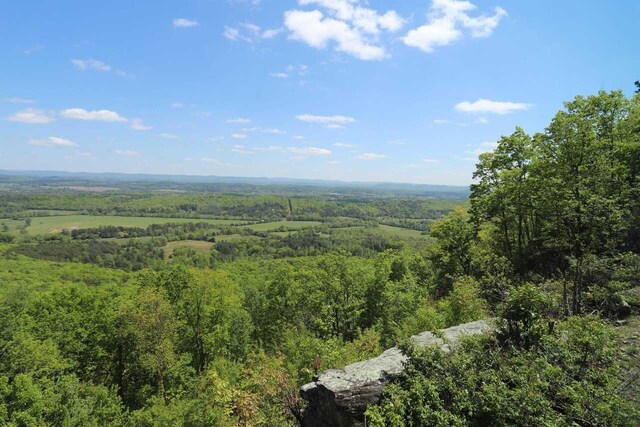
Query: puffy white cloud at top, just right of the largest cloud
[[447, 22]]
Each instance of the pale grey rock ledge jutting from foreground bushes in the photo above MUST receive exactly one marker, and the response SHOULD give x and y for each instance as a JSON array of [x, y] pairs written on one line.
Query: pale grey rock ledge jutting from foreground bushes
[[339, 397]]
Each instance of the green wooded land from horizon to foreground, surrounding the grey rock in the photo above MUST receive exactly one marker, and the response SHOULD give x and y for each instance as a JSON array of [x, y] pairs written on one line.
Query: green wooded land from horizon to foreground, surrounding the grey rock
[[184, 305]]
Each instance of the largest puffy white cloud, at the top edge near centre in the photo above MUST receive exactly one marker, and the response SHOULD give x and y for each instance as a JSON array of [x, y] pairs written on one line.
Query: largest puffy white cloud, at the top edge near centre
[[346, 25]]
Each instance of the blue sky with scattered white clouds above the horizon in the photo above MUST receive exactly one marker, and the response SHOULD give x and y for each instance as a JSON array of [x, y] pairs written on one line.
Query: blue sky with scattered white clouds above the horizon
[[373, 90]]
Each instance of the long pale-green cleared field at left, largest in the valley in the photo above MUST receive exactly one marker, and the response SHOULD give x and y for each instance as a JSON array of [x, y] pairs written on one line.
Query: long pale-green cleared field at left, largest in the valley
[[55, 224]]
